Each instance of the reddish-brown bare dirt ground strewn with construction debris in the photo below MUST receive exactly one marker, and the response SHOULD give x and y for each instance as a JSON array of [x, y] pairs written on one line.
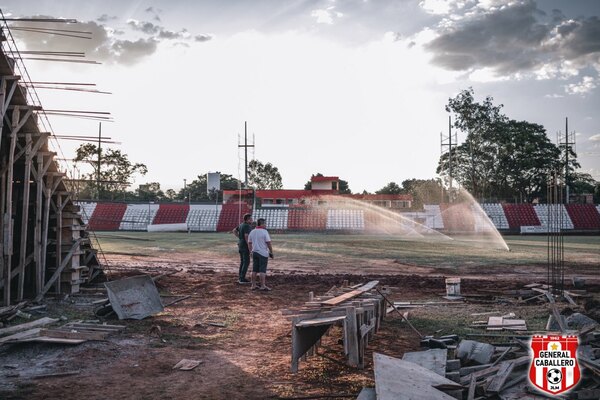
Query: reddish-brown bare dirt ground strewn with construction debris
[[248, 358]]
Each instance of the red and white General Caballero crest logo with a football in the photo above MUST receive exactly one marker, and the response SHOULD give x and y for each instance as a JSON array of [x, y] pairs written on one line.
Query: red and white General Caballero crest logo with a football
[[554, 368]]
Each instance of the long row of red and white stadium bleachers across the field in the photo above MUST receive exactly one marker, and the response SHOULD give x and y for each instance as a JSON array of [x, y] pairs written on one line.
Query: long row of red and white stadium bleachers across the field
[[224, 217]]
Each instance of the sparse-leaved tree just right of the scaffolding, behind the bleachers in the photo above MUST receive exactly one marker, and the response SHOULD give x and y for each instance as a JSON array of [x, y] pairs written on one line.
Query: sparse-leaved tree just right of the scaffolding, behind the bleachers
[[116, 171]]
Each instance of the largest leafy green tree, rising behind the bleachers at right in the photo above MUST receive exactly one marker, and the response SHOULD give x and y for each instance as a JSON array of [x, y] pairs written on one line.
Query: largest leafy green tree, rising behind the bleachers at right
[[500, 157]]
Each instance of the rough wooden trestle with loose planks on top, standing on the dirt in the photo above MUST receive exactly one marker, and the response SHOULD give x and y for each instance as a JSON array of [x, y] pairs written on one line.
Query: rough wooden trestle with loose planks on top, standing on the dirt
[[357, 309]]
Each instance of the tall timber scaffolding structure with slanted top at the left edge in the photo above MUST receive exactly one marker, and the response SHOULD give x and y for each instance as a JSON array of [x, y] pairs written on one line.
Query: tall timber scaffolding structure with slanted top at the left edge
[[45, 247]]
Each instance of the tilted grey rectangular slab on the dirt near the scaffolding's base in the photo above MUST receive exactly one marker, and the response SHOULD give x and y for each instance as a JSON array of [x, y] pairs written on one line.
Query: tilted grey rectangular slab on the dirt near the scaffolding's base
[[134, 298]]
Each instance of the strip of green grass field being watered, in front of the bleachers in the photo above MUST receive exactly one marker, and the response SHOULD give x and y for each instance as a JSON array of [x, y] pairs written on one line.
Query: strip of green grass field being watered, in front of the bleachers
[[525, 250]]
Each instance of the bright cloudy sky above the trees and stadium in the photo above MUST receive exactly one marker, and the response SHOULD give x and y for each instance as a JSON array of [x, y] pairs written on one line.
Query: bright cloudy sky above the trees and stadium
[[353, 88]]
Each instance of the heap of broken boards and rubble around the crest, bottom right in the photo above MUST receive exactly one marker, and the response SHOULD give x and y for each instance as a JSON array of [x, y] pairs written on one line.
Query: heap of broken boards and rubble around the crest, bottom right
[[476, 370]]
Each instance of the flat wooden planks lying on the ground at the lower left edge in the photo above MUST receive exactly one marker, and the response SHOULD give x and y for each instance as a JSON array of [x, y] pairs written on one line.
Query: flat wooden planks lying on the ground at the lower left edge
[[71, 333]]
